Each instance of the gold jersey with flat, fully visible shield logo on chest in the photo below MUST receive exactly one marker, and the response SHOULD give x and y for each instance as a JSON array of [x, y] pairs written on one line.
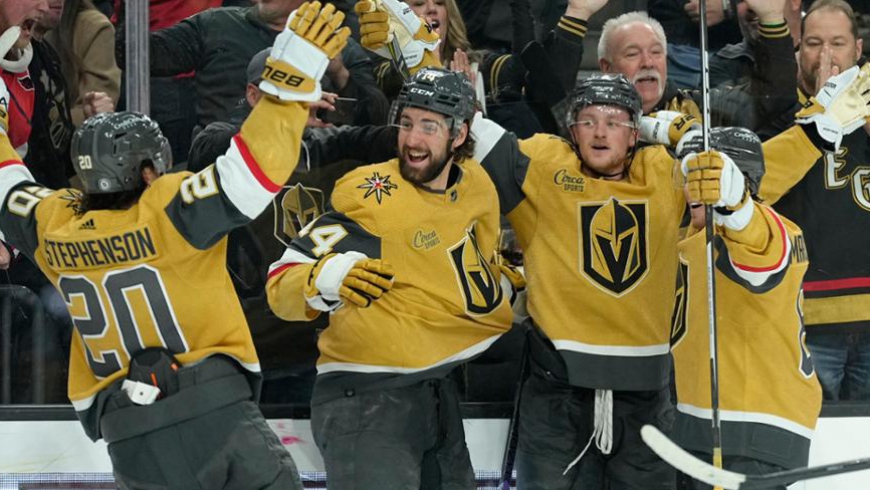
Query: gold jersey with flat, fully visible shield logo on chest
[[600, 256]]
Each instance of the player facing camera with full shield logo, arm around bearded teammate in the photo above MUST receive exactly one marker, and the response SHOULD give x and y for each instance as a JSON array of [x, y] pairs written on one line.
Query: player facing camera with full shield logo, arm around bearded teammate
[[597, 219]]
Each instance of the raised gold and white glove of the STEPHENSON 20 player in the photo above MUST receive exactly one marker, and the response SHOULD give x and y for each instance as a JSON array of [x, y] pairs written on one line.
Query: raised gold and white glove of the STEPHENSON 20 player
[[302, 51]]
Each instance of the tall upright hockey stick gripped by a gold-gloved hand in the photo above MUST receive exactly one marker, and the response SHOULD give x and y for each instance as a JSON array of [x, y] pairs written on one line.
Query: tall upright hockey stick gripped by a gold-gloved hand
[[709, 232]]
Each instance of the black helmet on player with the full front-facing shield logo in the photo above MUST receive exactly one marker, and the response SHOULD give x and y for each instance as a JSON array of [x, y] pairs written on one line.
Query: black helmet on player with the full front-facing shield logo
[[605, 89]]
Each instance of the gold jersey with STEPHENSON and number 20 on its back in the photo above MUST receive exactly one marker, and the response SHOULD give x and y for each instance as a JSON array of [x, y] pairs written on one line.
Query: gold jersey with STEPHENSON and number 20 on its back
[[154, 274]]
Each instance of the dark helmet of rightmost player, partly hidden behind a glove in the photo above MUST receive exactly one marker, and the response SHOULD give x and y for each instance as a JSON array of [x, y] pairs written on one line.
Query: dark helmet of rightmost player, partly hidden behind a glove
[[741, 144]]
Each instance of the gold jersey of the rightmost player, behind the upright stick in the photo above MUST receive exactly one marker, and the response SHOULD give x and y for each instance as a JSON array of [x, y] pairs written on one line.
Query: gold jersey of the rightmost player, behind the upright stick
[[769, 395]]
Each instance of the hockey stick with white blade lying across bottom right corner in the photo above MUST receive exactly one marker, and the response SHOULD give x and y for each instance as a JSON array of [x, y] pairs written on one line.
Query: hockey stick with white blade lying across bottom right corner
[[730, 480]]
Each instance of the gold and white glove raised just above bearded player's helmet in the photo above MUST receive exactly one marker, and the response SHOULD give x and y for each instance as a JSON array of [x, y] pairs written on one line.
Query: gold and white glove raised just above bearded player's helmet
[[381, 20]]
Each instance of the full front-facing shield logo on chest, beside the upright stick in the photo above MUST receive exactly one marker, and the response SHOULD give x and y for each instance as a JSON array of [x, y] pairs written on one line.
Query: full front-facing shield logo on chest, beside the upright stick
[[614, 244]]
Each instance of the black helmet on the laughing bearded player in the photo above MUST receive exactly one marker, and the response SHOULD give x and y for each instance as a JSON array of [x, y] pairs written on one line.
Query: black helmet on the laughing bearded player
[[438, 90]]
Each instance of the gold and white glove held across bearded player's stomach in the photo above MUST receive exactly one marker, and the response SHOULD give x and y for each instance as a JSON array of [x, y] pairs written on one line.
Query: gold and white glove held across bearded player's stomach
[[348, 277]]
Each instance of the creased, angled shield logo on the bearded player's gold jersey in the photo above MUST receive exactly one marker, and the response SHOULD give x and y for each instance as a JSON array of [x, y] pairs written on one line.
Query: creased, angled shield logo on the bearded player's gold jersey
[[479, 287]]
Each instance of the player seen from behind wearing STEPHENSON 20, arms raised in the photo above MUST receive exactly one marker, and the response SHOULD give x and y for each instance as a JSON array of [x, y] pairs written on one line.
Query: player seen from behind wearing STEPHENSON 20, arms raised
[[163, 367]]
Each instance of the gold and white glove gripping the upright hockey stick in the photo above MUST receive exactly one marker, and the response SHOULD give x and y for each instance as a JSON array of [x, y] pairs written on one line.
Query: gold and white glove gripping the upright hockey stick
[[712, 178]]
